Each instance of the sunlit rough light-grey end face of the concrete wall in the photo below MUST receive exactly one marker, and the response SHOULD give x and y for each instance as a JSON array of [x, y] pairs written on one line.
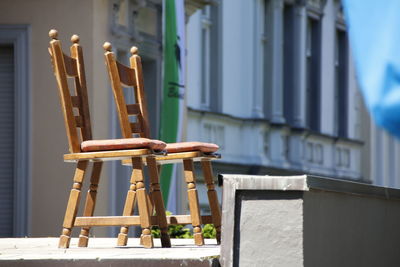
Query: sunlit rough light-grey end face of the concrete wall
[[270, 222]]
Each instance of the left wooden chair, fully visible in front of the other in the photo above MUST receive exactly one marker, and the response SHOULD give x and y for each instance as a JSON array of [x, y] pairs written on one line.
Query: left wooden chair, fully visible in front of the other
[[82, 150]]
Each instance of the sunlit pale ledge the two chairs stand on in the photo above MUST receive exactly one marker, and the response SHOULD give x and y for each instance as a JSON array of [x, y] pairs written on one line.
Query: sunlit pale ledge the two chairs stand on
[[103, 252]]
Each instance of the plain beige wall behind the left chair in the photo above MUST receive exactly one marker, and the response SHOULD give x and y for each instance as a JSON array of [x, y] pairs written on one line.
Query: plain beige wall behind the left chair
[[51, 177]]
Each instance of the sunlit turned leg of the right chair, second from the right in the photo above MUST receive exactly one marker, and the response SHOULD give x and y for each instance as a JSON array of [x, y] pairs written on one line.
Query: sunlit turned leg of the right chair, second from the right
[[193, 201]]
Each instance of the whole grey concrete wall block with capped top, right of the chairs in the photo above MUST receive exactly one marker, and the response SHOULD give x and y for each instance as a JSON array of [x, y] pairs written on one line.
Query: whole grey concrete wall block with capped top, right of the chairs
[[308, 221]]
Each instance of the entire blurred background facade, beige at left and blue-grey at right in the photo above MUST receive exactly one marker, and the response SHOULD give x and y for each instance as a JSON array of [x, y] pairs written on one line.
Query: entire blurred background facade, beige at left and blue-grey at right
[[270, 81]]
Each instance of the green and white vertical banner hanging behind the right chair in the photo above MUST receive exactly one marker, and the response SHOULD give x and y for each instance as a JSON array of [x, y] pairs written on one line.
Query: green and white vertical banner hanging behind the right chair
[[172, 97]]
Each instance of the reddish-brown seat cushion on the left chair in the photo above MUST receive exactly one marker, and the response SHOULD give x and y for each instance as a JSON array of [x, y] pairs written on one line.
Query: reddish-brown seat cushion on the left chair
[[120, 144]]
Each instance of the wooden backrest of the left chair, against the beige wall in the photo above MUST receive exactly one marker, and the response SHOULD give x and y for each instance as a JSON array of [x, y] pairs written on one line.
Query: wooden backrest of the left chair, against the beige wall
[[75, 106]]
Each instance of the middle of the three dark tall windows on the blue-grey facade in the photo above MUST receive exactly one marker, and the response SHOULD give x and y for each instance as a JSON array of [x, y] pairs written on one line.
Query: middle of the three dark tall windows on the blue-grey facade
[[313, 67]]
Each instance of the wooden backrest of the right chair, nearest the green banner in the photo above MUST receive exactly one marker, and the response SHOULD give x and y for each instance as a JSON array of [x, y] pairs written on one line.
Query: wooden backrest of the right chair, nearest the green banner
[[124, 76]]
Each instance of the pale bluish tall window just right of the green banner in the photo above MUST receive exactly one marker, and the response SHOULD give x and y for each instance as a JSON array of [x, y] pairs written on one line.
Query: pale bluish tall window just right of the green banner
[[210, 97]]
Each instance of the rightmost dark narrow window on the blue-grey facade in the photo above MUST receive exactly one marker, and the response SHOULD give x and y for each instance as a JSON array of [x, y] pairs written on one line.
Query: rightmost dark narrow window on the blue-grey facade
[[341, 78]]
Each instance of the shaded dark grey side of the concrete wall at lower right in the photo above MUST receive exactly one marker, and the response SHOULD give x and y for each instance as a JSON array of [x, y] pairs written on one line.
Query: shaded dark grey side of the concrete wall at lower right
[[350, 230]]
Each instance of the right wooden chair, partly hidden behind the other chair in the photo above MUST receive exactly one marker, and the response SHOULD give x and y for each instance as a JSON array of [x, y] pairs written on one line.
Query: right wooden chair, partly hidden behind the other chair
[[185, 152]]
